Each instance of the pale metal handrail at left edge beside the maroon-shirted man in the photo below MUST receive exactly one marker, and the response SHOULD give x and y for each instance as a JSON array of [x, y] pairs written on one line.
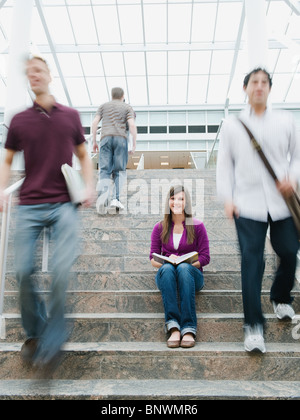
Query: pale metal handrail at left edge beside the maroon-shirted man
[[4, 245]]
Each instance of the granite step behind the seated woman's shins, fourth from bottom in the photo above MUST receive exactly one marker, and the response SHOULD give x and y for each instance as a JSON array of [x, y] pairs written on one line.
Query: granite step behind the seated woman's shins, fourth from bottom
[[147, 301]]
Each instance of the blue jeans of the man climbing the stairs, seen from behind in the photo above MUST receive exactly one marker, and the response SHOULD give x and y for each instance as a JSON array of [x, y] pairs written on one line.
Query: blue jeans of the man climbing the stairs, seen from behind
[[113, 162]]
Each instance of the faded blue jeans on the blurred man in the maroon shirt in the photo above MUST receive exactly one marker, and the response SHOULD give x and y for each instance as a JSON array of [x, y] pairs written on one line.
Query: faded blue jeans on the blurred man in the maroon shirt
[[31, 219]]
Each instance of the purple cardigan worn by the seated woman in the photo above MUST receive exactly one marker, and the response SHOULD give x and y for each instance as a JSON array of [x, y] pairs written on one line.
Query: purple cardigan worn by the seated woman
[[201, 243]]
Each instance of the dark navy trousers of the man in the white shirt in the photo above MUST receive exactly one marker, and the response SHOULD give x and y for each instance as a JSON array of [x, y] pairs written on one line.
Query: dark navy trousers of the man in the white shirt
[[284, 240]]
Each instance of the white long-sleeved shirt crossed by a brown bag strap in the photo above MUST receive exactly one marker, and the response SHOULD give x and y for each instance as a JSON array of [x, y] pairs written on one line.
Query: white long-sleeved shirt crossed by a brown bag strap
[[242, 177]]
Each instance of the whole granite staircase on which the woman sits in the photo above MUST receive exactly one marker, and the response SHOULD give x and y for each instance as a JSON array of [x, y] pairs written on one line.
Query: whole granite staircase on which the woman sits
[[117, 346]]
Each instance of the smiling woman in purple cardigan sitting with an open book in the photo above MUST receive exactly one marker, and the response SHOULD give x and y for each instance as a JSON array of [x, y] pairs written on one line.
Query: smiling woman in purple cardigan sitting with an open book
[[176, 235]]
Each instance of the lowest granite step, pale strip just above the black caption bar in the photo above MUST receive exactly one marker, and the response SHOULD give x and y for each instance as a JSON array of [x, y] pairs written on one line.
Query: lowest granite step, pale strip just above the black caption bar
[[142, 394]]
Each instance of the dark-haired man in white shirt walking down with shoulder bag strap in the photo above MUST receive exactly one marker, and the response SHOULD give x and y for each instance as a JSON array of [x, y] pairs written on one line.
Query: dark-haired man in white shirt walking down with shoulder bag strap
[[252, 198]]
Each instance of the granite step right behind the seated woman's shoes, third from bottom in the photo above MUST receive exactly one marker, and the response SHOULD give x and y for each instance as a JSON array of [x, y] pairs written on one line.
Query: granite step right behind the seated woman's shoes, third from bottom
[[149, 327]]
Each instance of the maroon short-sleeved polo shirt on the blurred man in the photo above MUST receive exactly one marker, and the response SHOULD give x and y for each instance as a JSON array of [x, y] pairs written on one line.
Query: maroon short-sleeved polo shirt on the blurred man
[[48, 141]]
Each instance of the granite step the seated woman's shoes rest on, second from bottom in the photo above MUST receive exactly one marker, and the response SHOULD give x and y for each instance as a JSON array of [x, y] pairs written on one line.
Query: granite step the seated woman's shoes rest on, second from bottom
[[135, 361]]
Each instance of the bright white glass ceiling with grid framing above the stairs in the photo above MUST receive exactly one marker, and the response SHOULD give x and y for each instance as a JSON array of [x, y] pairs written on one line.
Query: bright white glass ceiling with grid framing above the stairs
[[162, 52]]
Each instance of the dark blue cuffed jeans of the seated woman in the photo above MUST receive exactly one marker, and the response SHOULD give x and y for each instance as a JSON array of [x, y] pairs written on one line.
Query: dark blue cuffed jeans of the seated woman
[[184, 280]]
